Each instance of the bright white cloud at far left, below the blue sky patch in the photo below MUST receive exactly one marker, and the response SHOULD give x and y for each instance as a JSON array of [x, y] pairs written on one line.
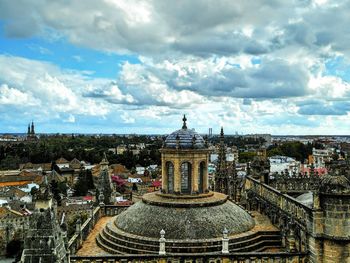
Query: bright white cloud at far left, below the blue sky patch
[[35, 83]]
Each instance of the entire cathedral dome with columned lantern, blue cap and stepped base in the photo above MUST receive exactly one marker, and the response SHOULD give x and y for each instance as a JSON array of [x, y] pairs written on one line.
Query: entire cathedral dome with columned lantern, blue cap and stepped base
[[192, 217]]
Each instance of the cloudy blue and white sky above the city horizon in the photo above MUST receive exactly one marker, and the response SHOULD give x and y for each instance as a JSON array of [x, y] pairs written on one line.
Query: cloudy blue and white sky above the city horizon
[[271, 66]]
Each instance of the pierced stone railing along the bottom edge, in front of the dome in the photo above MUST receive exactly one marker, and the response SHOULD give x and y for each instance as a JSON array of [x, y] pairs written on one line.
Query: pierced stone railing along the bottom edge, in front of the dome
[[255, 257]]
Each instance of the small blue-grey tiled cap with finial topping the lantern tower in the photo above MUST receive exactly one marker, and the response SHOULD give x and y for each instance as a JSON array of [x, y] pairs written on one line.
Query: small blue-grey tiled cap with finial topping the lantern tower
[[184, 139]]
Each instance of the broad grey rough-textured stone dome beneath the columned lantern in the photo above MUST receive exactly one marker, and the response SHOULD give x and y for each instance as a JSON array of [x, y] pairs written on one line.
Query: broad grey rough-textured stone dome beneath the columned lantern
[[203, 218]]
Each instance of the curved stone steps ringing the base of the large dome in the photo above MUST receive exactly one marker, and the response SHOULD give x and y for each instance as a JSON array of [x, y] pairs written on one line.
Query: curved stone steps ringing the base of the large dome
[[115, 241]]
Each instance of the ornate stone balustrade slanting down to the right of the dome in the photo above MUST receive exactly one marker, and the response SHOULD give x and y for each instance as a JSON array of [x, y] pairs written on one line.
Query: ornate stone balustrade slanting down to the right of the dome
[[285, 203]]
